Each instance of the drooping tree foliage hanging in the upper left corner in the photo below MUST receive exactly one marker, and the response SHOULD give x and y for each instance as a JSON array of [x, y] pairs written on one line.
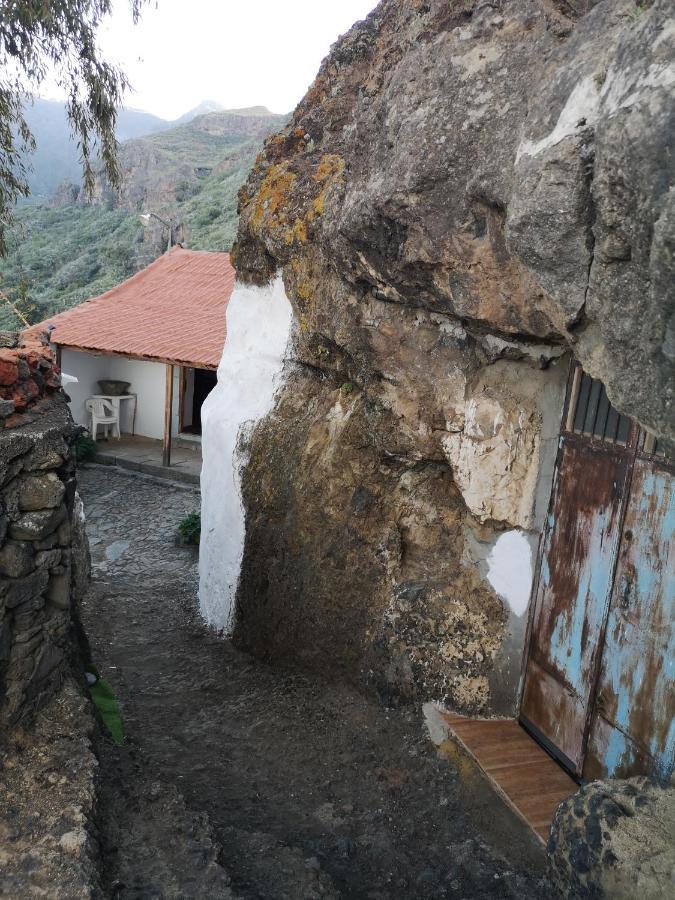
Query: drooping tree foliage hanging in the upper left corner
[[56, 39]]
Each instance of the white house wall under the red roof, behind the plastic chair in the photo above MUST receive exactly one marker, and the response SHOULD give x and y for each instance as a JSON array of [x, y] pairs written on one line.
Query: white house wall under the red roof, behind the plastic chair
[[147, 381]]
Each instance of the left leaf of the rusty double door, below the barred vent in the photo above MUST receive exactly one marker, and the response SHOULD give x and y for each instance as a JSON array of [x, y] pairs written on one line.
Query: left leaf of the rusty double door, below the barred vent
[[575, 576]]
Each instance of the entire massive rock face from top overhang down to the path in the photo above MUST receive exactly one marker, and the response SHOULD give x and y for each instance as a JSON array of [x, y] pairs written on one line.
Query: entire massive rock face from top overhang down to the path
[[469, 192]]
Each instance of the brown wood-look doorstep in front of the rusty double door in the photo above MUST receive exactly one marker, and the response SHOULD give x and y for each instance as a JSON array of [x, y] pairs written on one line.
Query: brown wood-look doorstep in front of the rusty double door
[[524, 775]]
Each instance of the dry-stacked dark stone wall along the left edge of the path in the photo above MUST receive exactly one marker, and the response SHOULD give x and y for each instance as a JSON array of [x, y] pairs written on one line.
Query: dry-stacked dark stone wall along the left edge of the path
[[43, 555]]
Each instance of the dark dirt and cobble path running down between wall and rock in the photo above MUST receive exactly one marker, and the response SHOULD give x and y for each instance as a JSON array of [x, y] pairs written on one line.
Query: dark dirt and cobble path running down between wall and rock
[[295, 787]]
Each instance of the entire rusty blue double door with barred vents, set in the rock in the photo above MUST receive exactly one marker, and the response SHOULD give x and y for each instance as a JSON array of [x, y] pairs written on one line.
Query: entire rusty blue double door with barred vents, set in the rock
[[598, 686]]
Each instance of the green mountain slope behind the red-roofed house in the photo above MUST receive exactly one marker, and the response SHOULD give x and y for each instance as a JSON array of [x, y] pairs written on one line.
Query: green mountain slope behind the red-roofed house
[[69, 249]]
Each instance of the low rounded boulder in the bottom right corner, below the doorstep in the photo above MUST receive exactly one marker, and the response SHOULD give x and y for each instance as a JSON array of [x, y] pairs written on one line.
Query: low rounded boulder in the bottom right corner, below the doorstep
[[614, 839]]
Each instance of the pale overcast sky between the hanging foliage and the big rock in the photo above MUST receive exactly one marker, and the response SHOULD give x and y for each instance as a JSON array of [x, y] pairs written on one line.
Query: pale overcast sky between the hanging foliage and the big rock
[[239, 53]]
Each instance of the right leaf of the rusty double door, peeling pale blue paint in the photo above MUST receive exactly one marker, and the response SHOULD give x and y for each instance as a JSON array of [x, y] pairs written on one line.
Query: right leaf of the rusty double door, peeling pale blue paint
[[634, 728]]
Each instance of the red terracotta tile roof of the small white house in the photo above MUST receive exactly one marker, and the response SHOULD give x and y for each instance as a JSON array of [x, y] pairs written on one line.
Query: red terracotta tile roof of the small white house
[[173, 311]]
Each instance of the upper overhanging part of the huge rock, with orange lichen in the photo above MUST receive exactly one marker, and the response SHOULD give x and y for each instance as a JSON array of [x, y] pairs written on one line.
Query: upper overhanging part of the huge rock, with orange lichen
[[505, 167]]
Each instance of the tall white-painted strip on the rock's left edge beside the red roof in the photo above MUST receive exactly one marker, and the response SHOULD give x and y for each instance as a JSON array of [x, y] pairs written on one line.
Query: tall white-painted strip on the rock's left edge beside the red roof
[[250, 373]]
